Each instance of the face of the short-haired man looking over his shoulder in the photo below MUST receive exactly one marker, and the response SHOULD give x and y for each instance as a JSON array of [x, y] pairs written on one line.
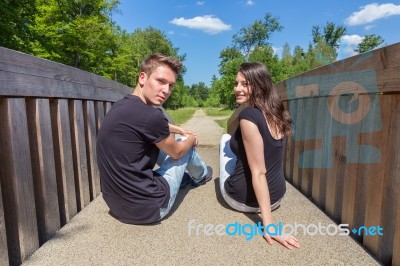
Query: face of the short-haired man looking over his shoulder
[[157, 87]]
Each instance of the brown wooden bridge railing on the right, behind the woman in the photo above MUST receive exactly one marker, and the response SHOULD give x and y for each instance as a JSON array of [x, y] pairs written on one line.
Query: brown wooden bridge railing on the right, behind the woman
[[345, 151]]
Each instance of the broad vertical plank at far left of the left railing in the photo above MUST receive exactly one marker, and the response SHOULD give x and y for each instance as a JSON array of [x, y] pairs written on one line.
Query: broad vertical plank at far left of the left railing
[[16, 181]]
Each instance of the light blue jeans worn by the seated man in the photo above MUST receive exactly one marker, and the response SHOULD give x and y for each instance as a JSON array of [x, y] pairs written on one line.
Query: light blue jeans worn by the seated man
[[173, 170]]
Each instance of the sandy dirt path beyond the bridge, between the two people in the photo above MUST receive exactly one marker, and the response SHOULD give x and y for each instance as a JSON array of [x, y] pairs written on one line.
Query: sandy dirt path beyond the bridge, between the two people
[[208, 131]]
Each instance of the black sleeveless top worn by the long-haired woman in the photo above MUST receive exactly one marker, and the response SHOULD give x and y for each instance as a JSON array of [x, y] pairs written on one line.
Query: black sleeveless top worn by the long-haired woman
[[239, 184]]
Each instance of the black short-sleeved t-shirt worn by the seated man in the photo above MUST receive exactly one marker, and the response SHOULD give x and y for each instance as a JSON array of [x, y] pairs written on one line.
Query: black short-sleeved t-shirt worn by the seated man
[[126, 156]]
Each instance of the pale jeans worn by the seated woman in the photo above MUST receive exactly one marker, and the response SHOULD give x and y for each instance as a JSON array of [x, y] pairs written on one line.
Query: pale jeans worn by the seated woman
[[227, 161]]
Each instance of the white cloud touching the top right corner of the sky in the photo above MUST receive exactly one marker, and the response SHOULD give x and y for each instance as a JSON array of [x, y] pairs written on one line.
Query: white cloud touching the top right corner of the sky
[[372, 12]]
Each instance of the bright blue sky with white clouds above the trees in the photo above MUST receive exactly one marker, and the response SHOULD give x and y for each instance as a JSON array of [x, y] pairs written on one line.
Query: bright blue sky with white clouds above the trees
[[202, 29]]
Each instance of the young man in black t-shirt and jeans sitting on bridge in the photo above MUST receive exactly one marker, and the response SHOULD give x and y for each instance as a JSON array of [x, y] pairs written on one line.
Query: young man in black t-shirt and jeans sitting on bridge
[[133, 136]]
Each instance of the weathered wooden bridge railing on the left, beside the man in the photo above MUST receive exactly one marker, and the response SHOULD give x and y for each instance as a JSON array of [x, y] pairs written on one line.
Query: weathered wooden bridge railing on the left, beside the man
[[49, 117]]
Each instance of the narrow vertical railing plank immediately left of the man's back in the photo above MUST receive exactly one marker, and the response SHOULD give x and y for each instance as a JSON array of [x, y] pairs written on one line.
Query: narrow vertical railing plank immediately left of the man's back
[[90, 133]]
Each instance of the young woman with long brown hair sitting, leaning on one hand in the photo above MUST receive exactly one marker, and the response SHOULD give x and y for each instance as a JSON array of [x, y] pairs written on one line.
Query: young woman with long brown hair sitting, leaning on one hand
[[251, 178]]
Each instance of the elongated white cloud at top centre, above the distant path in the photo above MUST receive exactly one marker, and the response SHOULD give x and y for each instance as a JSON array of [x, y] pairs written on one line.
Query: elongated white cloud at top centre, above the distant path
[[207, 23]]
